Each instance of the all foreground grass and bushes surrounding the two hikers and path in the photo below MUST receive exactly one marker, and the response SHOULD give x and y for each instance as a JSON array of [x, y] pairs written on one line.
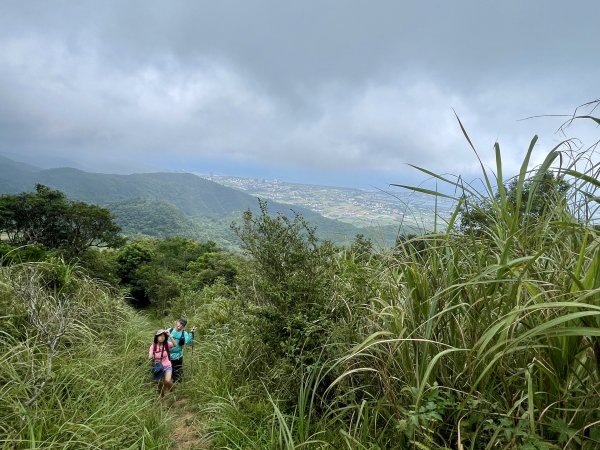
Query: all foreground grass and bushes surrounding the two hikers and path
[[485, 335]]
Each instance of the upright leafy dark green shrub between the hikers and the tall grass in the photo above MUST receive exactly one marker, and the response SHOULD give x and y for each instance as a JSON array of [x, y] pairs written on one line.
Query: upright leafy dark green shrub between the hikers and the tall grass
[[288, 282]]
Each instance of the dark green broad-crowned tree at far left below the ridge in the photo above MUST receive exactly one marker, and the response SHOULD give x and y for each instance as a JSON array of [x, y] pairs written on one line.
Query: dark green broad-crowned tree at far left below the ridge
[[48, 218]]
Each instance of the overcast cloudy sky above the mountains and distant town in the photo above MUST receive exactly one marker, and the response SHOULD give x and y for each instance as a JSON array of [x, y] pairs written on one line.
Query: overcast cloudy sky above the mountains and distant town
[[345, 93]]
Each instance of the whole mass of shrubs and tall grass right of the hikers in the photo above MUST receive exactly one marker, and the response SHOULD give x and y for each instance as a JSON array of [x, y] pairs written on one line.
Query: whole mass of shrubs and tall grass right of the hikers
[[449, 341]]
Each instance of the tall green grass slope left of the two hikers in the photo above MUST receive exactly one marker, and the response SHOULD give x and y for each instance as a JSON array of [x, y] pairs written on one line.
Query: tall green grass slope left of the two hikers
[[95, 394]]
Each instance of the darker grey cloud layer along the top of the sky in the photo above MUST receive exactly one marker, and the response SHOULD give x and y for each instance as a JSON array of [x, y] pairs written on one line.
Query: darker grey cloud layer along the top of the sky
[[295, 44]]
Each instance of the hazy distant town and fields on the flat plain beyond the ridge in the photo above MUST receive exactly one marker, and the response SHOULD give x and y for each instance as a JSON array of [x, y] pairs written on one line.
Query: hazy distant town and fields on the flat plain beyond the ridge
[[355, 206]]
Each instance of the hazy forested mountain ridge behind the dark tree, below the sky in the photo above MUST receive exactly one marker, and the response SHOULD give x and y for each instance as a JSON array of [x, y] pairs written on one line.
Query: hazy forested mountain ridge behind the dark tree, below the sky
[[184, 203]]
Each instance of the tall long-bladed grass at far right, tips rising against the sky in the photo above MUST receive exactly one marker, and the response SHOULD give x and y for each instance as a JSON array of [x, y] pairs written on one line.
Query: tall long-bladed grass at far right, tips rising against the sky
[[492, 341]]
